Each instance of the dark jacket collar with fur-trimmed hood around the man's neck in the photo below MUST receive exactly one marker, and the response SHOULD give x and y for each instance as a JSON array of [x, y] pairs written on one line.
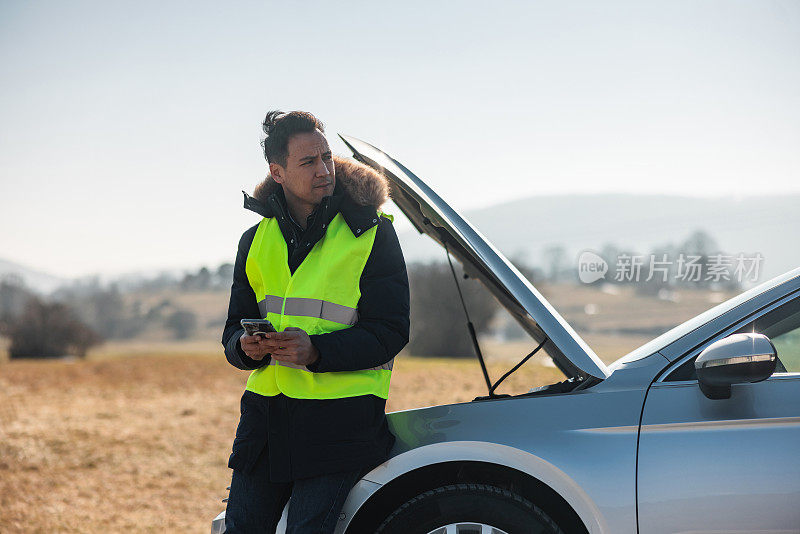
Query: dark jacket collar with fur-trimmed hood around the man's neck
[[358, 194]]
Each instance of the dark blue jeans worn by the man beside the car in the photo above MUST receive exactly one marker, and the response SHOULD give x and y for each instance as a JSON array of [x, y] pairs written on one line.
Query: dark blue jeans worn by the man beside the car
[[255, 504]]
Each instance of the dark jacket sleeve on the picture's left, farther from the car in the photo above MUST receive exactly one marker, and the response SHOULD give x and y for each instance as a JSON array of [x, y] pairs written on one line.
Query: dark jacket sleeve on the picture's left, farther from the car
[[243, 305]]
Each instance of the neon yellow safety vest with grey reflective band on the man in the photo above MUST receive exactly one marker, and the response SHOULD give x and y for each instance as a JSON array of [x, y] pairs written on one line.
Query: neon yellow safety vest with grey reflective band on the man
[[320, 297]]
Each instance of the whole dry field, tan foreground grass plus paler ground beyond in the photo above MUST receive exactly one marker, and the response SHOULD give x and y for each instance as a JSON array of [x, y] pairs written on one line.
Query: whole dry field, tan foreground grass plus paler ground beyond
[[136, 438]]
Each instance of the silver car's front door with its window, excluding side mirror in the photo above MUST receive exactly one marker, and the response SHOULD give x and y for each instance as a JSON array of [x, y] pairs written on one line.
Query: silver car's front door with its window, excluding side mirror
[[728, 465]]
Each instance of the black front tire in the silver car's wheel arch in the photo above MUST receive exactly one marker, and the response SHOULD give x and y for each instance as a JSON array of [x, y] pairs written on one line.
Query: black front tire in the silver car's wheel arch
[[458, 505]]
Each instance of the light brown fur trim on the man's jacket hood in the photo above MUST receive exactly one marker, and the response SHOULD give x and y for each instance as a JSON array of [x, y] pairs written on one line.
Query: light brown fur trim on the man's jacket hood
[[364, 185]]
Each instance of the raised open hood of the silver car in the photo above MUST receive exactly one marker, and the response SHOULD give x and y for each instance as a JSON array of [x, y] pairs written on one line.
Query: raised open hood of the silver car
[[433, 216]]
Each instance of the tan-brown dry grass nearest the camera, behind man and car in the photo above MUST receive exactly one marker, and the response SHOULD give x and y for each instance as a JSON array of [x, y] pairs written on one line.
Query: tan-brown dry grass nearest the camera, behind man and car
[[140, 443]]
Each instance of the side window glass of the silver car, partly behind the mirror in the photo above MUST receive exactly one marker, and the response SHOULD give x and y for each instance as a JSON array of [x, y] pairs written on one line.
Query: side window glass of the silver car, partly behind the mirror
[[781, 326]]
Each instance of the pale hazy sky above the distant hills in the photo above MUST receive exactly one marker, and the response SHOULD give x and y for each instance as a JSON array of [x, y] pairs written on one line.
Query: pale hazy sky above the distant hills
[[128, 129]]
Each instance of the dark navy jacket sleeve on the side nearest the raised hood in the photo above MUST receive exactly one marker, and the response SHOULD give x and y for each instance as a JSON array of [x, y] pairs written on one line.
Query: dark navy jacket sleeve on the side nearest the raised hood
[[383, 312]]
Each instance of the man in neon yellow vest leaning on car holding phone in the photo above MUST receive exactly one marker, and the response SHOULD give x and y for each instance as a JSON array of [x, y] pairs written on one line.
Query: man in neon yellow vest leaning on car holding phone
[[325, 267]]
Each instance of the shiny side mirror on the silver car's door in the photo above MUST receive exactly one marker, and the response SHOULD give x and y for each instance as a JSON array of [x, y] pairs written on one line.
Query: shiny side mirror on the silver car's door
[[736, 359]]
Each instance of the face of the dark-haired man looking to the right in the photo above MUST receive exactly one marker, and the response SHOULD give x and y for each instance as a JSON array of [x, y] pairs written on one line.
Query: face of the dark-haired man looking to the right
[[309, 175]]
